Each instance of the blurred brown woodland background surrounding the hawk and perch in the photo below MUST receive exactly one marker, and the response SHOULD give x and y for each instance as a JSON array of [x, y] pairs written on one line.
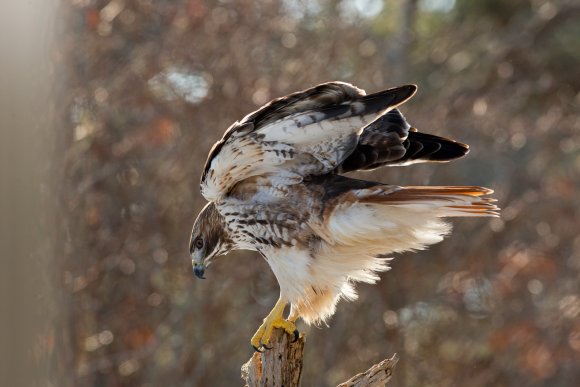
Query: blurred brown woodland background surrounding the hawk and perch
[[132, 95]]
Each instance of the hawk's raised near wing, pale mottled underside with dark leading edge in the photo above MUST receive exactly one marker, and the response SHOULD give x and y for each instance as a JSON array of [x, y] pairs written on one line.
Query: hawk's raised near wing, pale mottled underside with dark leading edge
[[303, 134]]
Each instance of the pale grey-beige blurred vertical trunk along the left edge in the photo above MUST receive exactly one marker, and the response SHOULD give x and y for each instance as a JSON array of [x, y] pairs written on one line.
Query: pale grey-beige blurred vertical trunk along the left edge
[[26, 297]]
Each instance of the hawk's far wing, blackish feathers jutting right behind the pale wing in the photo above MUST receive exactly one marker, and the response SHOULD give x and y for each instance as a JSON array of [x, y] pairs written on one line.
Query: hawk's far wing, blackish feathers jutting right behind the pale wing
[[390, 140]]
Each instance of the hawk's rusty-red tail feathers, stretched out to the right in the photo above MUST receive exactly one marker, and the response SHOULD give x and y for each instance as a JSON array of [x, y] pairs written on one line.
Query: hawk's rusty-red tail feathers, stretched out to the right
[[446, 201]]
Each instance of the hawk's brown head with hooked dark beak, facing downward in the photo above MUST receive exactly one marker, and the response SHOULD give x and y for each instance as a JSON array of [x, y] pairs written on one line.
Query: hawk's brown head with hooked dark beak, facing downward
[[208, 239]]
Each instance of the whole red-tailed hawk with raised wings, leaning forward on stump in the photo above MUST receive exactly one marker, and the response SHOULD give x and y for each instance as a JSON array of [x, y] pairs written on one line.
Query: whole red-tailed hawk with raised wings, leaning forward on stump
[[274, 184]]
